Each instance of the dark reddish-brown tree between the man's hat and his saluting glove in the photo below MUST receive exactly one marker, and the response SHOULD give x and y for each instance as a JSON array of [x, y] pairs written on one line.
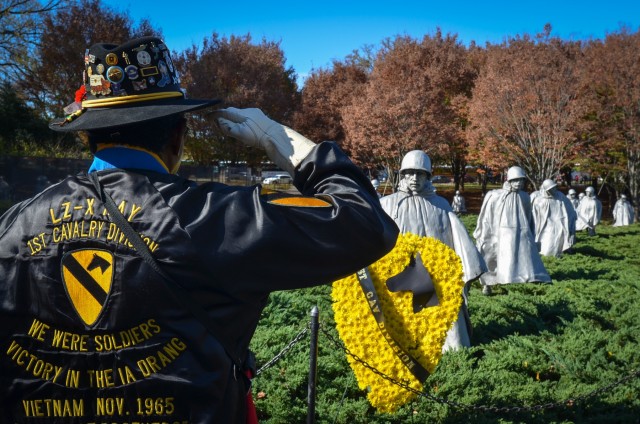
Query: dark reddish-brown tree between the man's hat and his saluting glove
[[243, 74]]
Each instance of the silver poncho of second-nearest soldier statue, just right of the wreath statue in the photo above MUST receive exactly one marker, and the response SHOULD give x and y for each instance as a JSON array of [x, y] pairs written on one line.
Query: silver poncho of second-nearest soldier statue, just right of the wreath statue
[[505, 238]]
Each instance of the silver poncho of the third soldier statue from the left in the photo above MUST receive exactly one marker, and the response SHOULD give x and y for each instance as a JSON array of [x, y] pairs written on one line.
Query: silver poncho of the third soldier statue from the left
[[554, 220]]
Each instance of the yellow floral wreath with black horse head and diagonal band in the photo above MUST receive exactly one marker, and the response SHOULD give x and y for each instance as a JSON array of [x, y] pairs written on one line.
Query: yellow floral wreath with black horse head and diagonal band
[[420, 334]]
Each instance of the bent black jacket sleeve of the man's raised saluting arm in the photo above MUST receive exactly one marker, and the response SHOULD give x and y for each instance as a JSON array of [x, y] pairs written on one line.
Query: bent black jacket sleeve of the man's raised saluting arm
[[269, 246]]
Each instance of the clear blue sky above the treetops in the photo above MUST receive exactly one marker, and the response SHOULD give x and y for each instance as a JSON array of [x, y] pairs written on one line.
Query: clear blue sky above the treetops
[[312, 33]]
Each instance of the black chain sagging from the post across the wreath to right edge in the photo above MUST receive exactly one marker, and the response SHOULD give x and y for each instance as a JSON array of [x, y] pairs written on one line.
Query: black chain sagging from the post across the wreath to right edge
[[483, 408]]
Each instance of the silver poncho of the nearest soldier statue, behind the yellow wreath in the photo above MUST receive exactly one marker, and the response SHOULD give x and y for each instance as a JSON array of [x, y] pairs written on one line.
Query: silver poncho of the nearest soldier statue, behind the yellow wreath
[[426, 214]]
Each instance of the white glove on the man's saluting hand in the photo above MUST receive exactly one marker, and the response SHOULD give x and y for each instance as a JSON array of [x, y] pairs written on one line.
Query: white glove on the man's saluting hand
[[283, 145]]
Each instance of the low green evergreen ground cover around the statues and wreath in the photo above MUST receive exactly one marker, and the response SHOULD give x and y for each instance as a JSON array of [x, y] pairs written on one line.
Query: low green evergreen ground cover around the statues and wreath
[[566, 352]]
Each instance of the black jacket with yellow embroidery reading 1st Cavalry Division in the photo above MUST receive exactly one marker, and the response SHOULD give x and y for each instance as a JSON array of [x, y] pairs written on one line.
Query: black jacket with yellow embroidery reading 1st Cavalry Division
[[90, 333]]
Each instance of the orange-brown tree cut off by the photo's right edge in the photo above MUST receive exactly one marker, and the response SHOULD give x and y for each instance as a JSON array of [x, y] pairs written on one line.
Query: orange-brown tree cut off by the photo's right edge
[[613, 80]]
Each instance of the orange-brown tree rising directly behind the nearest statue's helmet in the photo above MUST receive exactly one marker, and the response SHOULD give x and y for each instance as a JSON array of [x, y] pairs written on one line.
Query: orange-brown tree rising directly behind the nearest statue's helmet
[[413, 100]]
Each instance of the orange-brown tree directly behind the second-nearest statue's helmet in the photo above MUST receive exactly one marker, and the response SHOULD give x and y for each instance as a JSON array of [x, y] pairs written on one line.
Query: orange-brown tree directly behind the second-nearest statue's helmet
[[525, 108]]
